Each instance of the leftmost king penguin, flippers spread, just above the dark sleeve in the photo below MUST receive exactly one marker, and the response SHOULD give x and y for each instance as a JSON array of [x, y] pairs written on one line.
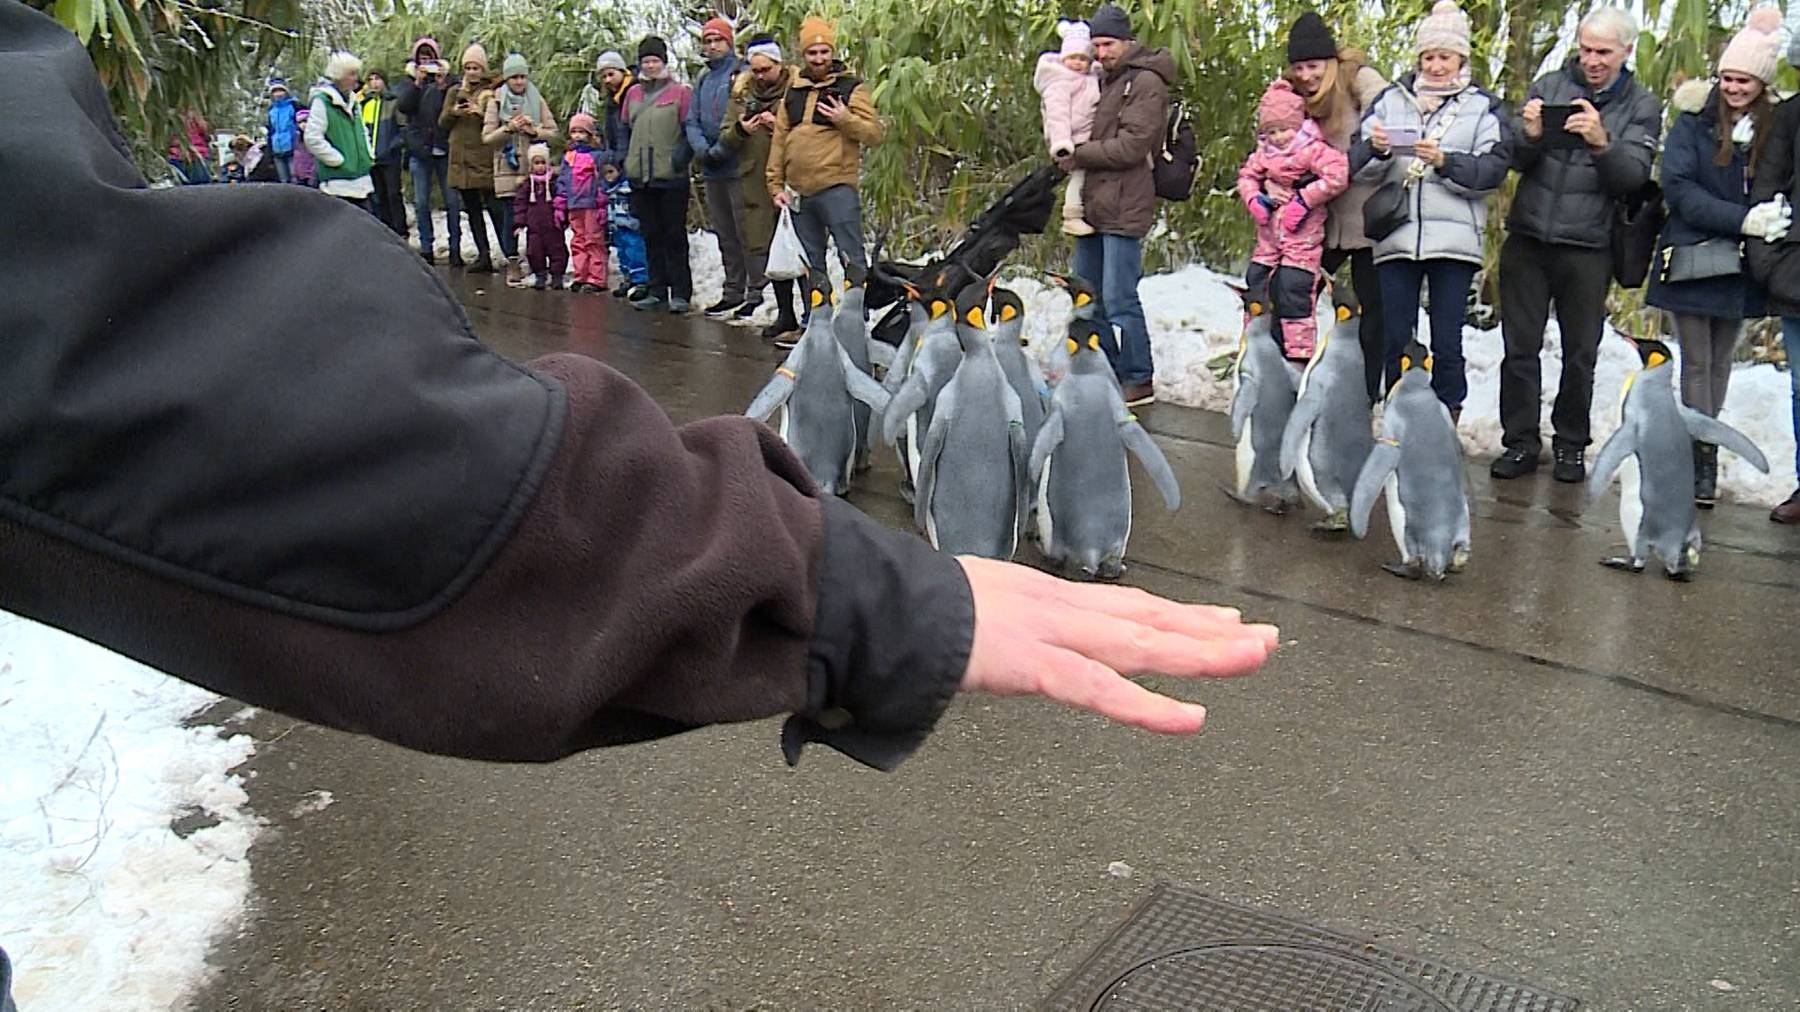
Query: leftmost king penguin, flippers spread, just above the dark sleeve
[[816, 388]]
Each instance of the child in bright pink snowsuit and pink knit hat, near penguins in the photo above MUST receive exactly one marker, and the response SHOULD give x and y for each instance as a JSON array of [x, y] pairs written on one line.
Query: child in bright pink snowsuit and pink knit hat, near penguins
[[1286, 185]]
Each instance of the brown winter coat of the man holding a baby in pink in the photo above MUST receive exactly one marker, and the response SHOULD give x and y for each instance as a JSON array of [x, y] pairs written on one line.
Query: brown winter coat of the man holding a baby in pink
[[1120, 195]]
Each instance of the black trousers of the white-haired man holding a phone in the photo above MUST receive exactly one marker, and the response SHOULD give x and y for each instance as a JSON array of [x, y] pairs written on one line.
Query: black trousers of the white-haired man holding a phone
[[1533, 275]]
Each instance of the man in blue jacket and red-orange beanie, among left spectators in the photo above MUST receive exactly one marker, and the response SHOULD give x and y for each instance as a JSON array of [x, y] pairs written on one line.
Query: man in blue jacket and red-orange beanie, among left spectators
[[719, 167]]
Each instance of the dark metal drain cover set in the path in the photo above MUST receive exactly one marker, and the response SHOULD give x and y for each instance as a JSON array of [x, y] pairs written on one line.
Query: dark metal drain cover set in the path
[[1183, 950]]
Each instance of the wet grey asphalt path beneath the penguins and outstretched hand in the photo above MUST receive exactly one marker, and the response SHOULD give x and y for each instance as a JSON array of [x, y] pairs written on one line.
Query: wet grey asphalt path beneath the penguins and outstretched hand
[[1543, 770]]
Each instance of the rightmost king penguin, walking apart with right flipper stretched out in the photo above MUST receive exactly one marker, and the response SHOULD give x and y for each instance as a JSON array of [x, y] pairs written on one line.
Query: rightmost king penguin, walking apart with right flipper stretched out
[[1655, 460]]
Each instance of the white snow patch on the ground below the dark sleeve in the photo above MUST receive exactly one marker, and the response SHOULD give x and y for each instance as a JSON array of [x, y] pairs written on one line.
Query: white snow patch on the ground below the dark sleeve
[[103, 905]]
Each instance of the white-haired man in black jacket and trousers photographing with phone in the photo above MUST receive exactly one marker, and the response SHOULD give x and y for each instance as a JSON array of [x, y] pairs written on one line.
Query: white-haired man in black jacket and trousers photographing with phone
[[1585, 140]]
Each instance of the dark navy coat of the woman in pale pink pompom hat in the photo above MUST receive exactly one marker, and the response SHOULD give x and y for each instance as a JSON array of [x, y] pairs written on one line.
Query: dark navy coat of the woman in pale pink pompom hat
[[1705, 203]]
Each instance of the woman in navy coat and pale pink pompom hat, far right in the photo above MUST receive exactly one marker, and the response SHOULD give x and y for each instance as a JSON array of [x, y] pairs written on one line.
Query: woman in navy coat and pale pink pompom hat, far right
[[1709, 163]]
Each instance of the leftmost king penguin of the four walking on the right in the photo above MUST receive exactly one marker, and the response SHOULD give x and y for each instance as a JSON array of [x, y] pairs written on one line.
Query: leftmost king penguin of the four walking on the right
[[1261, 406]]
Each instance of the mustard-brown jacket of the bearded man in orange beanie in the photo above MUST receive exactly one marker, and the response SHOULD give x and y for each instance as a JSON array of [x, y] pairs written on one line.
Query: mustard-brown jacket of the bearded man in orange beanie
[[818, 156]]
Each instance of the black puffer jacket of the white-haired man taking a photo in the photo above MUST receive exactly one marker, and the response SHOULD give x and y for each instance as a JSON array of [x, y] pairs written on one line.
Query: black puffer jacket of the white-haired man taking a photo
[[1567, 195]]
